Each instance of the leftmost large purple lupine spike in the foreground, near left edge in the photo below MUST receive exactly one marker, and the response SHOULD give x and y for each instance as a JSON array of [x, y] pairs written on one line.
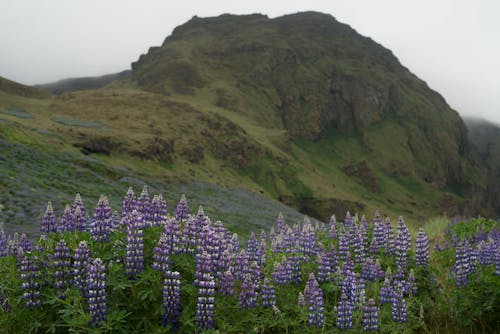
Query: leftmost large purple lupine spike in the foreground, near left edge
[[30, 274]]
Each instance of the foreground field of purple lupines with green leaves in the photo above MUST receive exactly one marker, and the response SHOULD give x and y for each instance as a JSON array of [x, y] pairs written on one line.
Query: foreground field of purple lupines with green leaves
[[145, 269]]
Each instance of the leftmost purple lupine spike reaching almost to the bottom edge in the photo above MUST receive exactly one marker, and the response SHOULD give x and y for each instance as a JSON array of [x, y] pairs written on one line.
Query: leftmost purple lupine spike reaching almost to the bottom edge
[[96, 292]]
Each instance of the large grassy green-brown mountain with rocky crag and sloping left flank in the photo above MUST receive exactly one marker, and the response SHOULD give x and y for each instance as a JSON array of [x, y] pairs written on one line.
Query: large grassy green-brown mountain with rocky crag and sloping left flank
[[299, 108]]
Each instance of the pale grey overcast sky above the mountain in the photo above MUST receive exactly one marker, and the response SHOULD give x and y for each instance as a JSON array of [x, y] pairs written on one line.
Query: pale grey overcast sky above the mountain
[[454, 45]]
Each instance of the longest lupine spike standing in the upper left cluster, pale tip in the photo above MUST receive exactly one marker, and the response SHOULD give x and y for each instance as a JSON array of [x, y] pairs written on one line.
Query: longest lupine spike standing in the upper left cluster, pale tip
[[134, 257]]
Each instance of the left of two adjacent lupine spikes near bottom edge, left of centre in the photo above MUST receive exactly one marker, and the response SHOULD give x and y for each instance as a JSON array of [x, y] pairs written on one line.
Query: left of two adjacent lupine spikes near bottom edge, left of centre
[[171, 297]]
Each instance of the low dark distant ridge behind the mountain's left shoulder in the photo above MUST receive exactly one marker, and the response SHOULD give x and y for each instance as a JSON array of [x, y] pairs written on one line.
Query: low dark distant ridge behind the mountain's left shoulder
[[85, 83]]
